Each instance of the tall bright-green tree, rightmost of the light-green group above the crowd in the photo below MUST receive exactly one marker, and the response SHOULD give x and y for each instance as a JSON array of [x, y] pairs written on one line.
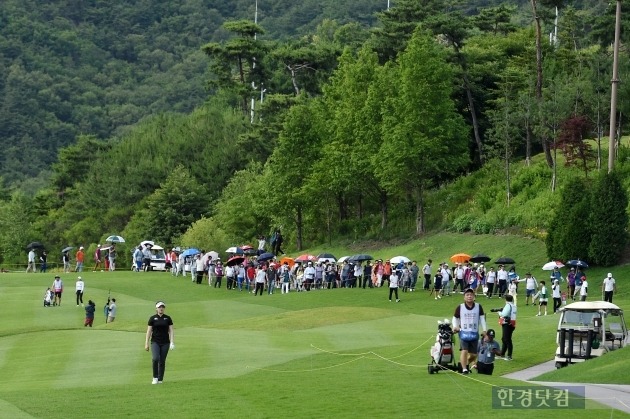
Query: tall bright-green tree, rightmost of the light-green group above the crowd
[[424, 138]]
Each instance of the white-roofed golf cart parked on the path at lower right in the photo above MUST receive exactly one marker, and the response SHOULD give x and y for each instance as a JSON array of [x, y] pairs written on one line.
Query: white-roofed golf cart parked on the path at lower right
[[588, 329]]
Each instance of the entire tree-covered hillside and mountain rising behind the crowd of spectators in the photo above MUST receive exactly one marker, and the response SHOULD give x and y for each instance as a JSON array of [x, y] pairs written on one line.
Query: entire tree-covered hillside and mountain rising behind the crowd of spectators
[[354, 127]]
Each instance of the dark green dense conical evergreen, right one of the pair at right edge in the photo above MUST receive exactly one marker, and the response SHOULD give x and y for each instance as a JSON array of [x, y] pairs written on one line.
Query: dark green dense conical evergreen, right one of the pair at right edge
[[608, 220]]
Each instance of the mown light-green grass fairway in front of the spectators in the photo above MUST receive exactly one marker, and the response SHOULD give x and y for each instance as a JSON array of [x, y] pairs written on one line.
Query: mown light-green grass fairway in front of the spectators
[[326, 353]]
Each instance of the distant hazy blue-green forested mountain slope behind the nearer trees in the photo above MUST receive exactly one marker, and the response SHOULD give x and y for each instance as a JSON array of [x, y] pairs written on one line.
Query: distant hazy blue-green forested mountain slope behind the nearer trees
[[70, 67]]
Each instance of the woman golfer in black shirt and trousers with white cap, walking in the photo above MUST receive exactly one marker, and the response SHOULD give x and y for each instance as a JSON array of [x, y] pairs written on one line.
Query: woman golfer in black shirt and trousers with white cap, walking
[[160, 336]]
